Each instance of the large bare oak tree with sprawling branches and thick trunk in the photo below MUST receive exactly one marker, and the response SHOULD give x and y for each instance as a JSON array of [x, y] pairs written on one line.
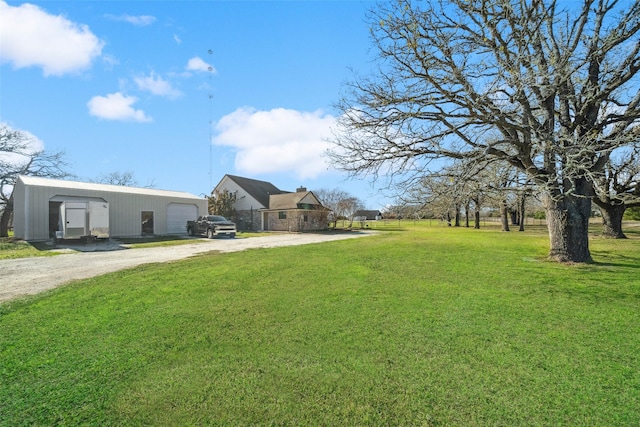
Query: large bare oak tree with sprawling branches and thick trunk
[[550, 87]]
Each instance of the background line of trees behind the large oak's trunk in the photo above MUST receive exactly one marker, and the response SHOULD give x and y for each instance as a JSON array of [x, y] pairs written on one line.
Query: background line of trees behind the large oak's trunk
[[490, 187]]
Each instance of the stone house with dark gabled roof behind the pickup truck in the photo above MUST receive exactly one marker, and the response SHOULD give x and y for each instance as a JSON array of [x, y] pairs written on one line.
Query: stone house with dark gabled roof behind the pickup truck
[[261, 206]]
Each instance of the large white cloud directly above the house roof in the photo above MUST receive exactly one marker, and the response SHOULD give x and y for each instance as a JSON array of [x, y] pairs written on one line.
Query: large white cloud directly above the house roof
[[279, 140]]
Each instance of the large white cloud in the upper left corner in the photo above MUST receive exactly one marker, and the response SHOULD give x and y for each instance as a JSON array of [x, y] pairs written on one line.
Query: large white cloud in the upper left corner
[[32, 37]]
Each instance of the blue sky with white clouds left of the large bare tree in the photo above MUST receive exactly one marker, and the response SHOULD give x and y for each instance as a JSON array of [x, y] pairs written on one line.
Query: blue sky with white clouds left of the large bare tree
[[141, 86]]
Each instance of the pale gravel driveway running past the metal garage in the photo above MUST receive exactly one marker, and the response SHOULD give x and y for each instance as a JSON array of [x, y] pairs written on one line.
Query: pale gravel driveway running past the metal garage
[[28, 276]]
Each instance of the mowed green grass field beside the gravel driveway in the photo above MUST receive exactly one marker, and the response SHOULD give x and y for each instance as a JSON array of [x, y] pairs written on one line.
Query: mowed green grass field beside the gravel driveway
[[422, 325]]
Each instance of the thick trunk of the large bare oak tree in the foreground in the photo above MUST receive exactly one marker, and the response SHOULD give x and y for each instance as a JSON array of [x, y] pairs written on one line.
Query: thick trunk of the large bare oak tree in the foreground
[[568, 225]]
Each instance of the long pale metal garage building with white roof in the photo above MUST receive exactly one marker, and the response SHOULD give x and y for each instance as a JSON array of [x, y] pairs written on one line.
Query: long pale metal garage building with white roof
[[132, 211]]
